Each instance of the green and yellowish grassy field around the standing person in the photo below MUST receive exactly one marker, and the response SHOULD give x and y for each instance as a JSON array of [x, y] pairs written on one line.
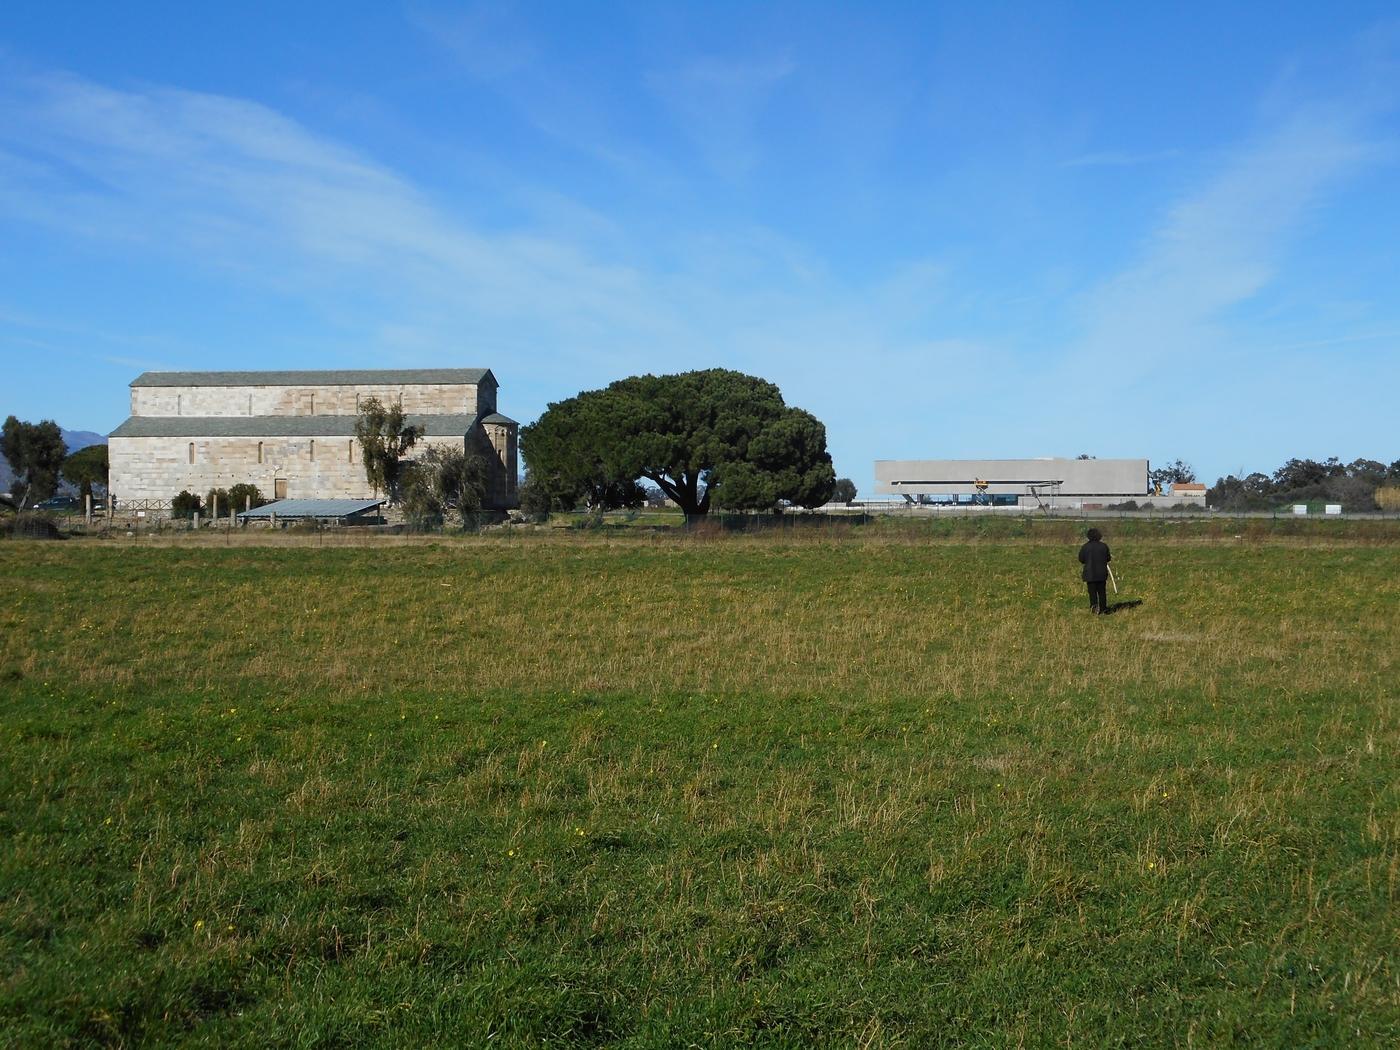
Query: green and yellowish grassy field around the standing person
[[842, 790]]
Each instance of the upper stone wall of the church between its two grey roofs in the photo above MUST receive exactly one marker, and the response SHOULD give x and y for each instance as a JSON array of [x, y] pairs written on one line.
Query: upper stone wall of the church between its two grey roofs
[[310, 401]]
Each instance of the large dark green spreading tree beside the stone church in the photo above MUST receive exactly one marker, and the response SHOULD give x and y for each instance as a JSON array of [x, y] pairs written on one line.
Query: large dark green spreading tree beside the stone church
[[706, 439]]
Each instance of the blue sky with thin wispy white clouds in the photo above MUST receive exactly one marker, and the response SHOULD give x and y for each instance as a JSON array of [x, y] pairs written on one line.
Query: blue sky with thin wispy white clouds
[[948, 230]]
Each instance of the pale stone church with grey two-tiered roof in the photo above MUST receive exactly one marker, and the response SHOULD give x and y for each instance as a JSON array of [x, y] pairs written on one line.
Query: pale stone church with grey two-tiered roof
[[293, 433]]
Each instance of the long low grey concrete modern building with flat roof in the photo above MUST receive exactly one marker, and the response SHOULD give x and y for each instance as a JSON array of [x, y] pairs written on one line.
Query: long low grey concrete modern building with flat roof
[[1087, 484]]
